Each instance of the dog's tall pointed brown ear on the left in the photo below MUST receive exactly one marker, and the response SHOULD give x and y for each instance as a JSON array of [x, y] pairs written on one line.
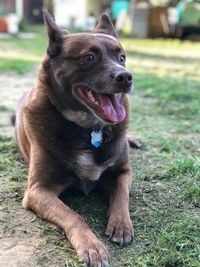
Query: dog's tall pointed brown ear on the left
[[55, 34]]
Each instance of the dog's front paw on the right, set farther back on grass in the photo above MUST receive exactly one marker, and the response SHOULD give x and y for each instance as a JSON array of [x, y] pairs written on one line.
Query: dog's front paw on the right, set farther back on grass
[[120, 229]]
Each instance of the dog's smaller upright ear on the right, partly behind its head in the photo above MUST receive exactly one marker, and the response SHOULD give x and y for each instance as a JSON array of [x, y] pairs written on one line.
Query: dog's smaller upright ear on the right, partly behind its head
[[105, 26]]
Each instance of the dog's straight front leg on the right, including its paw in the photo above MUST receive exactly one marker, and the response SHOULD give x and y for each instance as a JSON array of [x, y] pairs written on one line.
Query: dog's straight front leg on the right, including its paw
[[119, 227]]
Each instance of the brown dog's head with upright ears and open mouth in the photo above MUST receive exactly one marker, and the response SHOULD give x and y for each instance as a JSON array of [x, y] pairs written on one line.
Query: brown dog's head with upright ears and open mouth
[[87, 73]]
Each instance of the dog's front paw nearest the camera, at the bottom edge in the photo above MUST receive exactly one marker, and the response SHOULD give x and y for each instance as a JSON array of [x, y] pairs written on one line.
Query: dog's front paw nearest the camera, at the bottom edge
[[94, 254]]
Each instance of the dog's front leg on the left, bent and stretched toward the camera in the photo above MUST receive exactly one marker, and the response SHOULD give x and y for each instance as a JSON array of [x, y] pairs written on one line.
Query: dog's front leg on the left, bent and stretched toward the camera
[[42, 198]]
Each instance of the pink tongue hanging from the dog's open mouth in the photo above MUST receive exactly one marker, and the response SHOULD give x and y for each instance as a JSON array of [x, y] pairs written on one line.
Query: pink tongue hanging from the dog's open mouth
[[111, 108]]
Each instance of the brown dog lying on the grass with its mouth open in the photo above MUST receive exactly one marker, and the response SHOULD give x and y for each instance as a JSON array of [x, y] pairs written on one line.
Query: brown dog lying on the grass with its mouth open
[[71, 129]]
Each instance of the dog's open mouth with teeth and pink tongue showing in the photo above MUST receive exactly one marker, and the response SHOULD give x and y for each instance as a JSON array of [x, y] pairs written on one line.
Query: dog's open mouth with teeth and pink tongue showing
[[106, 106]]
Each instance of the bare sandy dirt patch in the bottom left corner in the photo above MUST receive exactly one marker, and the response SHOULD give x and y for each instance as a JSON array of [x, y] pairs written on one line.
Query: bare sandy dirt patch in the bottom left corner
[[17, 242]]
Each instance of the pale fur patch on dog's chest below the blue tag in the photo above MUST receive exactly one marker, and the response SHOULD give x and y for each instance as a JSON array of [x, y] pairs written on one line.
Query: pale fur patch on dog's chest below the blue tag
[[87, 169]]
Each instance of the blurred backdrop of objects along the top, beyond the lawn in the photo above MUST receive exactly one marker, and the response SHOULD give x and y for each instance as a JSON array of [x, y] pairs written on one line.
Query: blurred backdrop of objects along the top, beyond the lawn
[[138, 18]]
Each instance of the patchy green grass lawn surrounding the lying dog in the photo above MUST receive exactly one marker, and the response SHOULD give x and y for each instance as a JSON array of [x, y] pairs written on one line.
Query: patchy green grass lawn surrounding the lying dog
[[165, 194]]
